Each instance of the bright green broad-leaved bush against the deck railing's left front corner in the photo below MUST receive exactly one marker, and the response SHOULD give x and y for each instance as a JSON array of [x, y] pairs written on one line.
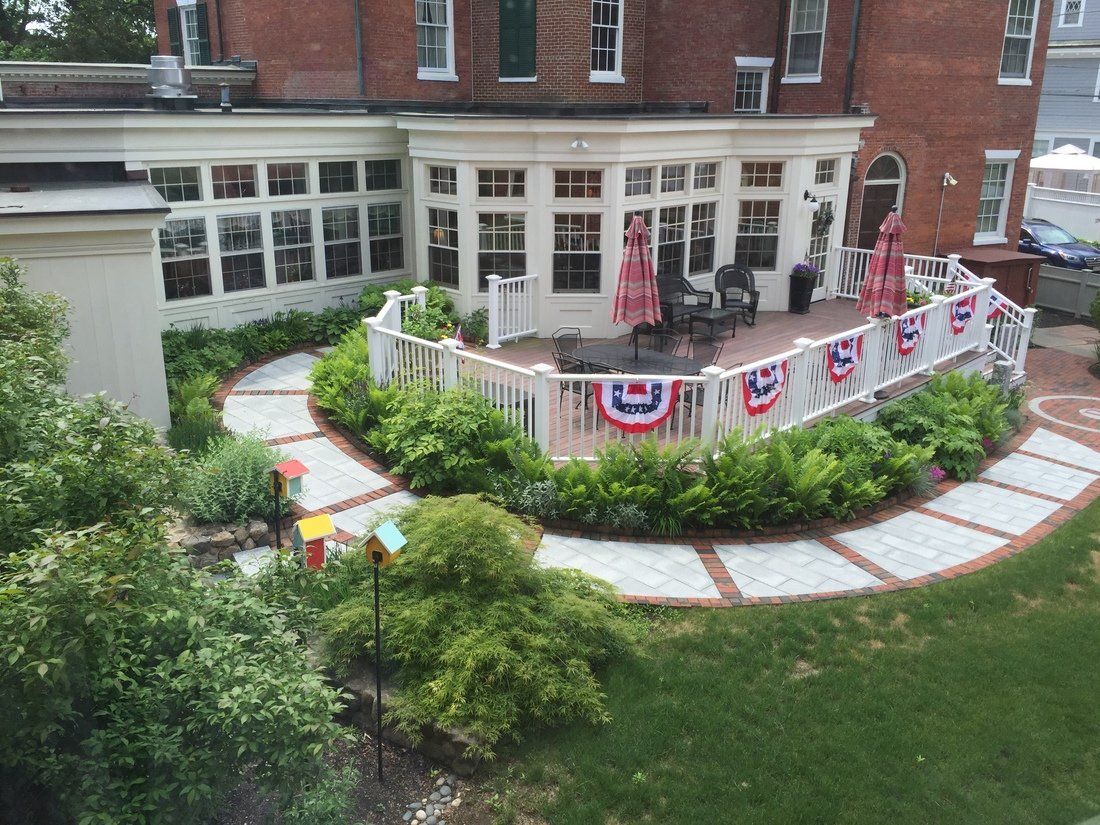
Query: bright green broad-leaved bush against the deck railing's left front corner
[[445, 442]]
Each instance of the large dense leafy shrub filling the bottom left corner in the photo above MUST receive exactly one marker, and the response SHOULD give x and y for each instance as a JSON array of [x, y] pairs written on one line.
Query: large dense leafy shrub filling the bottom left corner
[[146, 691]]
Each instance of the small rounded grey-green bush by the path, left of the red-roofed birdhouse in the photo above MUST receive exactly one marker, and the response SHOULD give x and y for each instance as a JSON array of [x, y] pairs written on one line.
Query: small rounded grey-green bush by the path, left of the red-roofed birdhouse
[[229, 482]]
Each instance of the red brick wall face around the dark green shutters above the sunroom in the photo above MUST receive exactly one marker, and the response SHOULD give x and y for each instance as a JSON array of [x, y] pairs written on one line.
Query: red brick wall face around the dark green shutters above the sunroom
[[563, 56]]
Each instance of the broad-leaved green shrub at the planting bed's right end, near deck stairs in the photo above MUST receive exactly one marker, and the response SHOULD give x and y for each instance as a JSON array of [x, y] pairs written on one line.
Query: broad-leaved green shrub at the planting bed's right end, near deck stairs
[[961, 419]]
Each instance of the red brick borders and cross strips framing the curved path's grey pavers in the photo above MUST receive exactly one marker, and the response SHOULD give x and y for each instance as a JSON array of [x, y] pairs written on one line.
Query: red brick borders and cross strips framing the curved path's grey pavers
[[826, 531]]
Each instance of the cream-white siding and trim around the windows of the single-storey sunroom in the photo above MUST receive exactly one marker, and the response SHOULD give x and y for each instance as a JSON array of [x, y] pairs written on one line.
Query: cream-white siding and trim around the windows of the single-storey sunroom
[[147, 139]]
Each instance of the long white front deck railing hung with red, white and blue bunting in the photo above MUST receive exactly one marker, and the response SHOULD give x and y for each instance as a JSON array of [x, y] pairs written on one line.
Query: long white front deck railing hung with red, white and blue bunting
[[557, 411]]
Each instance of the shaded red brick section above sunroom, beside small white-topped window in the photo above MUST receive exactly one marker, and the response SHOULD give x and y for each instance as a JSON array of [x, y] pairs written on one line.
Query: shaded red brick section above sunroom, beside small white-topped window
[[690, 51]]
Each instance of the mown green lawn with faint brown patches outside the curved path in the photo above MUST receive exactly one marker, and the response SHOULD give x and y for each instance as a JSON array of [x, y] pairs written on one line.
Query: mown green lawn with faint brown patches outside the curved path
[[976, 701]]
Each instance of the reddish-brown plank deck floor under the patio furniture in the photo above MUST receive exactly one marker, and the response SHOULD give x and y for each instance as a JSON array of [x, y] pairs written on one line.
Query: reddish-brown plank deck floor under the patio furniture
[[774, 334]]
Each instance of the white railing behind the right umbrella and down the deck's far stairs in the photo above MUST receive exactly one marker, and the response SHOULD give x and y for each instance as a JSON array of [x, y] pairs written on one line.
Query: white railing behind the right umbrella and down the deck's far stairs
[[1009, 327]]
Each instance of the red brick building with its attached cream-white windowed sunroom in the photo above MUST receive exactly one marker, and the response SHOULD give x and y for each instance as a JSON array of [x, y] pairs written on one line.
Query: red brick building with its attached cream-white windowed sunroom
[[448, 139]]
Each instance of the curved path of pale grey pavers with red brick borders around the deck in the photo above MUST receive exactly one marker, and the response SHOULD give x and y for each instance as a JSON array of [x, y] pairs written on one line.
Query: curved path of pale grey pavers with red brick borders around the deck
[[1049, 472]]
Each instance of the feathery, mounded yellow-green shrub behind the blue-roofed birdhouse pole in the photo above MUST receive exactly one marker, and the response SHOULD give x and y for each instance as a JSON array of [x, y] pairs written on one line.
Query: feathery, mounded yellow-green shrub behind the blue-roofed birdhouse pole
[[481, 637]]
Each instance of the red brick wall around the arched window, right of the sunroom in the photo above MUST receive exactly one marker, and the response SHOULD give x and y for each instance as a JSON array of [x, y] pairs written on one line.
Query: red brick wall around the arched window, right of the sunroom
[[933, 85]]
